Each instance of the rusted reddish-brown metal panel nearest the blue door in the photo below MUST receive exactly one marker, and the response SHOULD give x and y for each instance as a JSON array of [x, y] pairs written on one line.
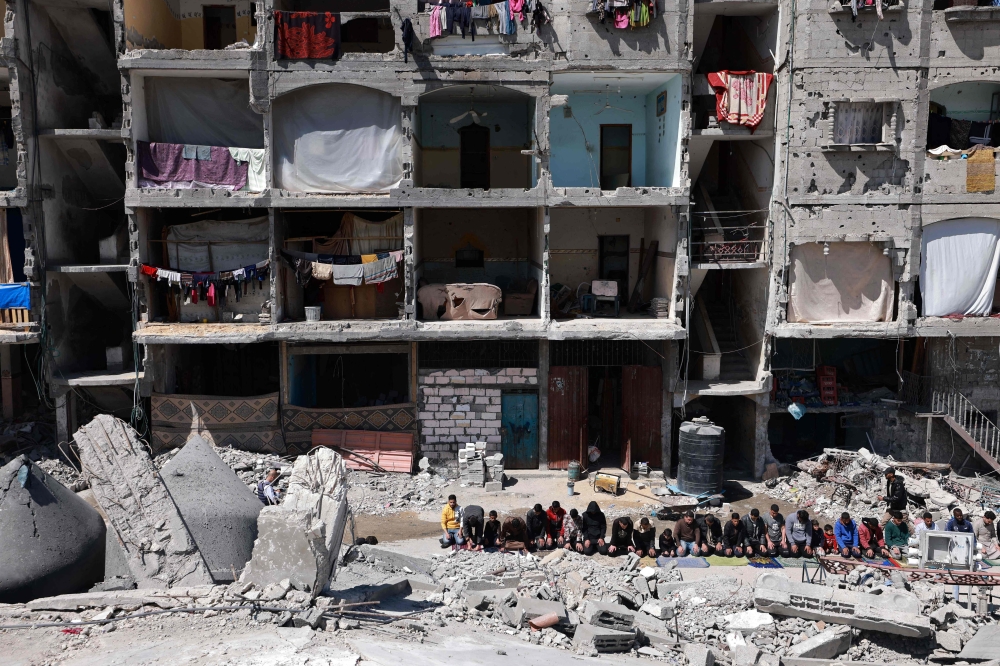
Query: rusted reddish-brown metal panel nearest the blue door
[[568, 389]]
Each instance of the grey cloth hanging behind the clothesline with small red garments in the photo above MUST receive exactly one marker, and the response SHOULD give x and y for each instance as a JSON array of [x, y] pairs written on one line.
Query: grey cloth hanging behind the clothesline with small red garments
[[242, 243]]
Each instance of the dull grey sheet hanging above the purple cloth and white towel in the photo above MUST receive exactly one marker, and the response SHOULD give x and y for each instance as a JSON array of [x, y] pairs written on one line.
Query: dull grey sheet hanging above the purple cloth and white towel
[[207, 112]]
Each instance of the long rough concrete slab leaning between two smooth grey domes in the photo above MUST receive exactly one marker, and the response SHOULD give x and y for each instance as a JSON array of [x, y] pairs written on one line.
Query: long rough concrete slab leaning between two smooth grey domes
[[147, 524]]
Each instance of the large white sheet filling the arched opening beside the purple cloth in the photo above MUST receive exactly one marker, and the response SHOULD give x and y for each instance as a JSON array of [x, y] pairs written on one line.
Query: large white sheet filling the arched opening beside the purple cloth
[[338, 138]]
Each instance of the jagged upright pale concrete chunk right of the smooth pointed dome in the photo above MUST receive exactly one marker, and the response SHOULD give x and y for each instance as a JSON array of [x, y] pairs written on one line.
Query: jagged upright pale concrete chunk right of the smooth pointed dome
[[300, 539]]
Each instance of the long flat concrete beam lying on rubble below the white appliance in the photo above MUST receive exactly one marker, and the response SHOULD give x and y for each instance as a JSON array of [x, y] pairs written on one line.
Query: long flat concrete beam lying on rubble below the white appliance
[[890, 612]]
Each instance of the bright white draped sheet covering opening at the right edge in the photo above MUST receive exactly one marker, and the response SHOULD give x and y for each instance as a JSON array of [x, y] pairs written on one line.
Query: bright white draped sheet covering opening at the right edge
[[958, 267]]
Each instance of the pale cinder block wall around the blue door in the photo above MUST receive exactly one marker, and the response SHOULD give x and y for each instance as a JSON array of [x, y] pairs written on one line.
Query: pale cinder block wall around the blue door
[[459, 406]]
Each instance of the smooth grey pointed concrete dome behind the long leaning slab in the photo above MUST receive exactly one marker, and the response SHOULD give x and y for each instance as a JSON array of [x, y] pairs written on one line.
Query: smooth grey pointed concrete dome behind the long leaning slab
[[219, 510]]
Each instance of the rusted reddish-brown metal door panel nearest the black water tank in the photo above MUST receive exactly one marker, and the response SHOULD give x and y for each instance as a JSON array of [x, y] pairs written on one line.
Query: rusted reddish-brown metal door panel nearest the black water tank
[[642, 406]]
